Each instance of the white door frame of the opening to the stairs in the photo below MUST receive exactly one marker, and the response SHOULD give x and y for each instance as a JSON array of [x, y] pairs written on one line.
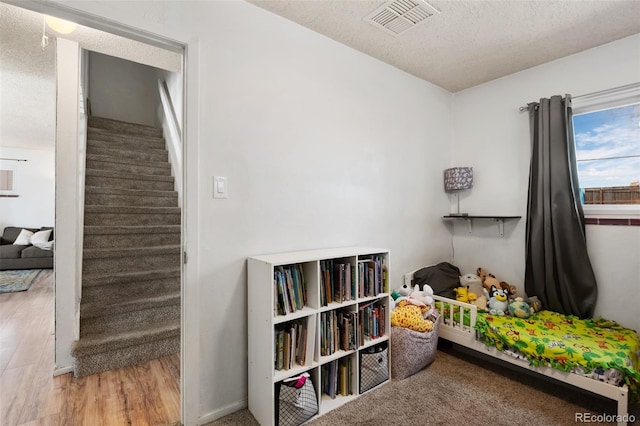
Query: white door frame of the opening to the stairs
[[188, 46]]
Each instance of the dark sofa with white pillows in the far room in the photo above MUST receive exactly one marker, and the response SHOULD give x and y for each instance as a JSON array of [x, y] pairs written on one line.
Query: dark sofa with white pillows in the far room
[[25, 256]]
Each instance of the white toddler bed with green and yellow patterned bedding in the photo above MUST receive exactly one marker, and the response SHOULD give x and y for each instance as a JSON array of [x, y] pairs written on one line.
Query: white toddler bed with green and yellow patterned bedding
[[595, 355]]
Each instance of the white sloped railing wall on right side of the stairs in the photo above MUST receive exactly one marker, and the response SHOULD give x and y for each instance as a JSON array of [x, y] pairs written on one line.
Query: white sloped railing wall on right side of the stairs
[[172, 135]]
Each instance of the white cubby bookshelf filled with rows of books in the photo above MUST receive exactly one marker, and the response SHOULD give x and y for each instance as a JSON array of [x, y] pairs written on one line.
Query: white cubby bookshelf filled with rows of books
[[267, 318]]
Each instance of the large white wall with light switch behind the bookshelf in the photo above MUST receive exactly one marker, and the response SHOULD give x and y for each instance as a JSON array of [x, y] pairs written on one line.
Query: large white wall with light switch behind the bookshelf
[[323, 146]]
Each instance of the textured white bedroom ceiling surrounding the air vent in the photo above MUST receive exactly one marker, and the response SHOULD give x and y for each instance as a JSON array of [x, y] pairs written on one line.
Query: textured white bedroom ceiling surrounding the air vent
[[470, 42]]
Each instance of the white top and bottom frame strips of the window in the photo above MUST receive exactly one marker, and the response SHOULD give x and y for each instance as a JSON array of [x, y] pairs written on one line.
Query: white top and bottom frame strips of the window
[[606, 99]]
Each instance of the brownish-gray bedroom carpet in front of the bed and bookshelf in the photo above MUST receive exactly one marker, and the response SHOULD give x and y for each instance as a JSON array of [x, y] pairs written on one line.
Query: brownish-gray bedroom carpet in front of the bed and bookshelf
[[461, 390]]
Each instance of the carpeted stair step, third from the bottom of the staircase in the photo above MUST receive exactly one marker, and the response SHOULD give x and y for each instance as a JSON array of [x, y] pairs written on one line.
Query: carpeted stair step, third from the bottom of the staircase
[[111, 287]]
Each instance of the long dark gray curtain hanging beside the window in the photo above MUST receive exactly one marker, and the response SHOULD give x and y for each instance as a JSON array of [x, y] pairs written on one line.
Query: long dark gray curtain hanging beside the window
[[558, 269]]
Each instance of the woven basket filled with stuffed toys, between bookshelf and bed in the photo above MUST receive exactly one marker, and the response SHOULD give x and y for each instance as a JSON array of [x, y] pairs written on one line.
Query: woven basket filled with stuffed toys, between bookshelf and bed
[[411, 351]]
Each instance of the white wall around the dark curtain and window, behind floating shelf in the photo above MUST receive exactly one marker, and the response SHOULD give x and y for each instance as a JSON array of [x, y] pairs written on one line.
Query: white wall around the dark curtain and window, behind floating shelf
[[491, 135]]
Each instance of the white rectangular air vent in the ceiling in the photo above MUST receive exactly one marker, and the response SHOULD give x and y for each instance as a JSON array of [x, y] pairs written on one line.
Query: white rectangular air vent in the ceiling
[[398, 16]]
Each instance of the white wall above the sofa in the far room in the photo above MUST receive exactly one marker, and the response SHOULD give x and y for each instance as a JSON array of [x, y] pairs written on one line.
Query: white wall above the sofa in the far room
[[35, 182]]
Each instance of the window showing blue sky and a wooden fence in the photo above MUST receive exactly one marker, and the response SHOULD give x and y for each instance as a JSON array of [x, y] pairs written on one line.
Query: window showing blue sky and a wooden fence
[[607, 136]]
